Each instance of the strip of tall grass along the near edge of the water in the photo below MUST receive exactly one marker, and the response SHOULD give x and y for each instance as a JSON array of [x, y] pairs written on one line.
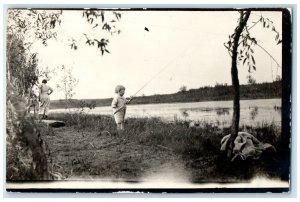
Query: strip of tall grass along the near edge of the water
[[175, 136]]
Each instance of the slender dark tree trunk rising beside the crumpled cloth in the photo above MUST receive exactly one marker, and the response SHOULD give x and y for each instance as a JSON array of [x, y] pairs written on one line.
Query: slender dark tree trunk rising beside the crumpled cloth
[[244, 16]]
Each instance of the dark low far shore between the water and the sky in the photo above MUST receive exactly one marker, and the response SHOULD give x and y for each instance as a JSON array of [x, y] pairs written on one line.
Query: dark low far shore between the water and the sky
[[204, 94]]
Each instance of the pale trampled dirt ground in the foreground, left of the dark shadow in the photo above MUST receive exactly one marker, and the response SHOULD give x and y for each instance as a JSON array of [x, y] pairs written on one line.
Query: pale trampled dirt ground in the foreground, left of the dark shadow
[[77, 154]]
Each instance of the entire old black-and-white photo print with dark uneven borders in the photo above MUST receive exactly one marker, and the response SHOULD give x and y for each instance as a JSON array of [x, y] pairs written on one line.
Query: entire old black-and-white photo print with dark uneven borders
[[157, 100]]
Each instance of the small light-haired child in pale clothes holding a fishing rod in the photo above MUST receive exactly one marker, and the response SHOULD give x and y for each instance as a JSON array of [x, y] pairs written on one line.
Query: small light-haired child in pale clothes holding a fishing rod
[[119, 107]]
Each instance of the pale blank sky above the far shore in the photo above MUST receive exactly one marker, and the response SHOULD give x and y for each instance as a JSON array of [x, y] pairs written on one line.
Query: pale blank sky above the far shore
[[186, 45]]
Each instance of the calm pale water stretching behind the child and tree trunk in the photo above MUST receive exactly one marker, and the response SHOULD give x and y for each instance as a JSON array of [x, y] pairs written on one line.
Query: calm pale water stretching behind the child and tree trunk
[[253, 112]]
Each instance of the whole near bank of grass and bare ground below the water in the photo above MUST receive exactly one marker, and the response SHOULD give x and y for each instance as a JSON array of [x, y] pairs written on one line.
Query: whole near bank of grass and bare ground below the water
[[90, 146]]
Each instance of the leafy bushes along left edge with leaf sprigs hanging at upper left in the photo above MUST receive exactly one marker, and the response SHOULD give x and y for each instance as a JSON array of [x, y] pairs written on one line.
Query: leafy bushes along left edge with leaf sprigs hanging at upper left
[[26, 158]]
